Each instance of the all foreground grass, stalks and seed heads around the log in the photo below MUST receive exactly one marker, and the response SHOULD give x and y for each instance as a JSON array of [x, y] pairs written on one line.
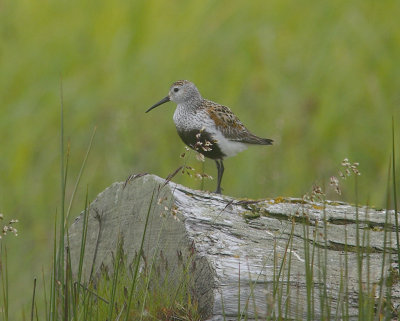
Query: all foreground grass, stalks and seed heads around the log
[[144, 289]]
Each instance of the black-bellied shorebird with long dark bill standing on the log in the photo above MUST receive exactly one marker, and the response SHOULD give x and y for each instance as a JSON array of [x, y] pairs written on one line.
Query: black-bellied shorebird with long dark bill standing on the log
[[208, 127]]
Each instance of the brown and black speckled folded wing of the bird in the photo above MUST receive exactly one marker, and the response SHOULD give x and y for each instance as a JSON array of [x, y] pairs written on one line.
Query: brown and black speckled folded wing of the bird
[[230, 126]]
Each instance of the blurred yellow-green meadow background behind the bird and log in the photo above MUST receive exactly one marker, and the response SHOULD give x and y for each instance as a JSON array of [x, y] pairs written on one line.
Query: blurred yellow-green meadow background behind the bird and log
[[321, 78]]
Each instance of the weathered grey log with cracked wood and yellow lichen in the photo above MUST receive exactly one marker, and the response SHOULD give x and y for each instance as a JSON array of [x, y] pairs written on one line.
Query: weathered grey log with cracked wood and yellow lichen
[[239, 249]]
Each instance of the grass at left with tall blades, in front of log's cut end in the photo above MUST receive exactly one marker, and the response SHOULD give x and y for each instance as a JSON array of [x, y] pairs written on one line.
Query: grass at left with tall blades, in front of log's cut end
[[139, 290]]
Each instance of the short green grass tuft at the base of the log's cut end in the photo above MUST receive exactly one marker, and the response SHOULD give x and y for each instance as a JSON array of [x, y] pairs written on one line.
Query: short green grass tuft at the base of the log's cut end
[[120, 292]]
